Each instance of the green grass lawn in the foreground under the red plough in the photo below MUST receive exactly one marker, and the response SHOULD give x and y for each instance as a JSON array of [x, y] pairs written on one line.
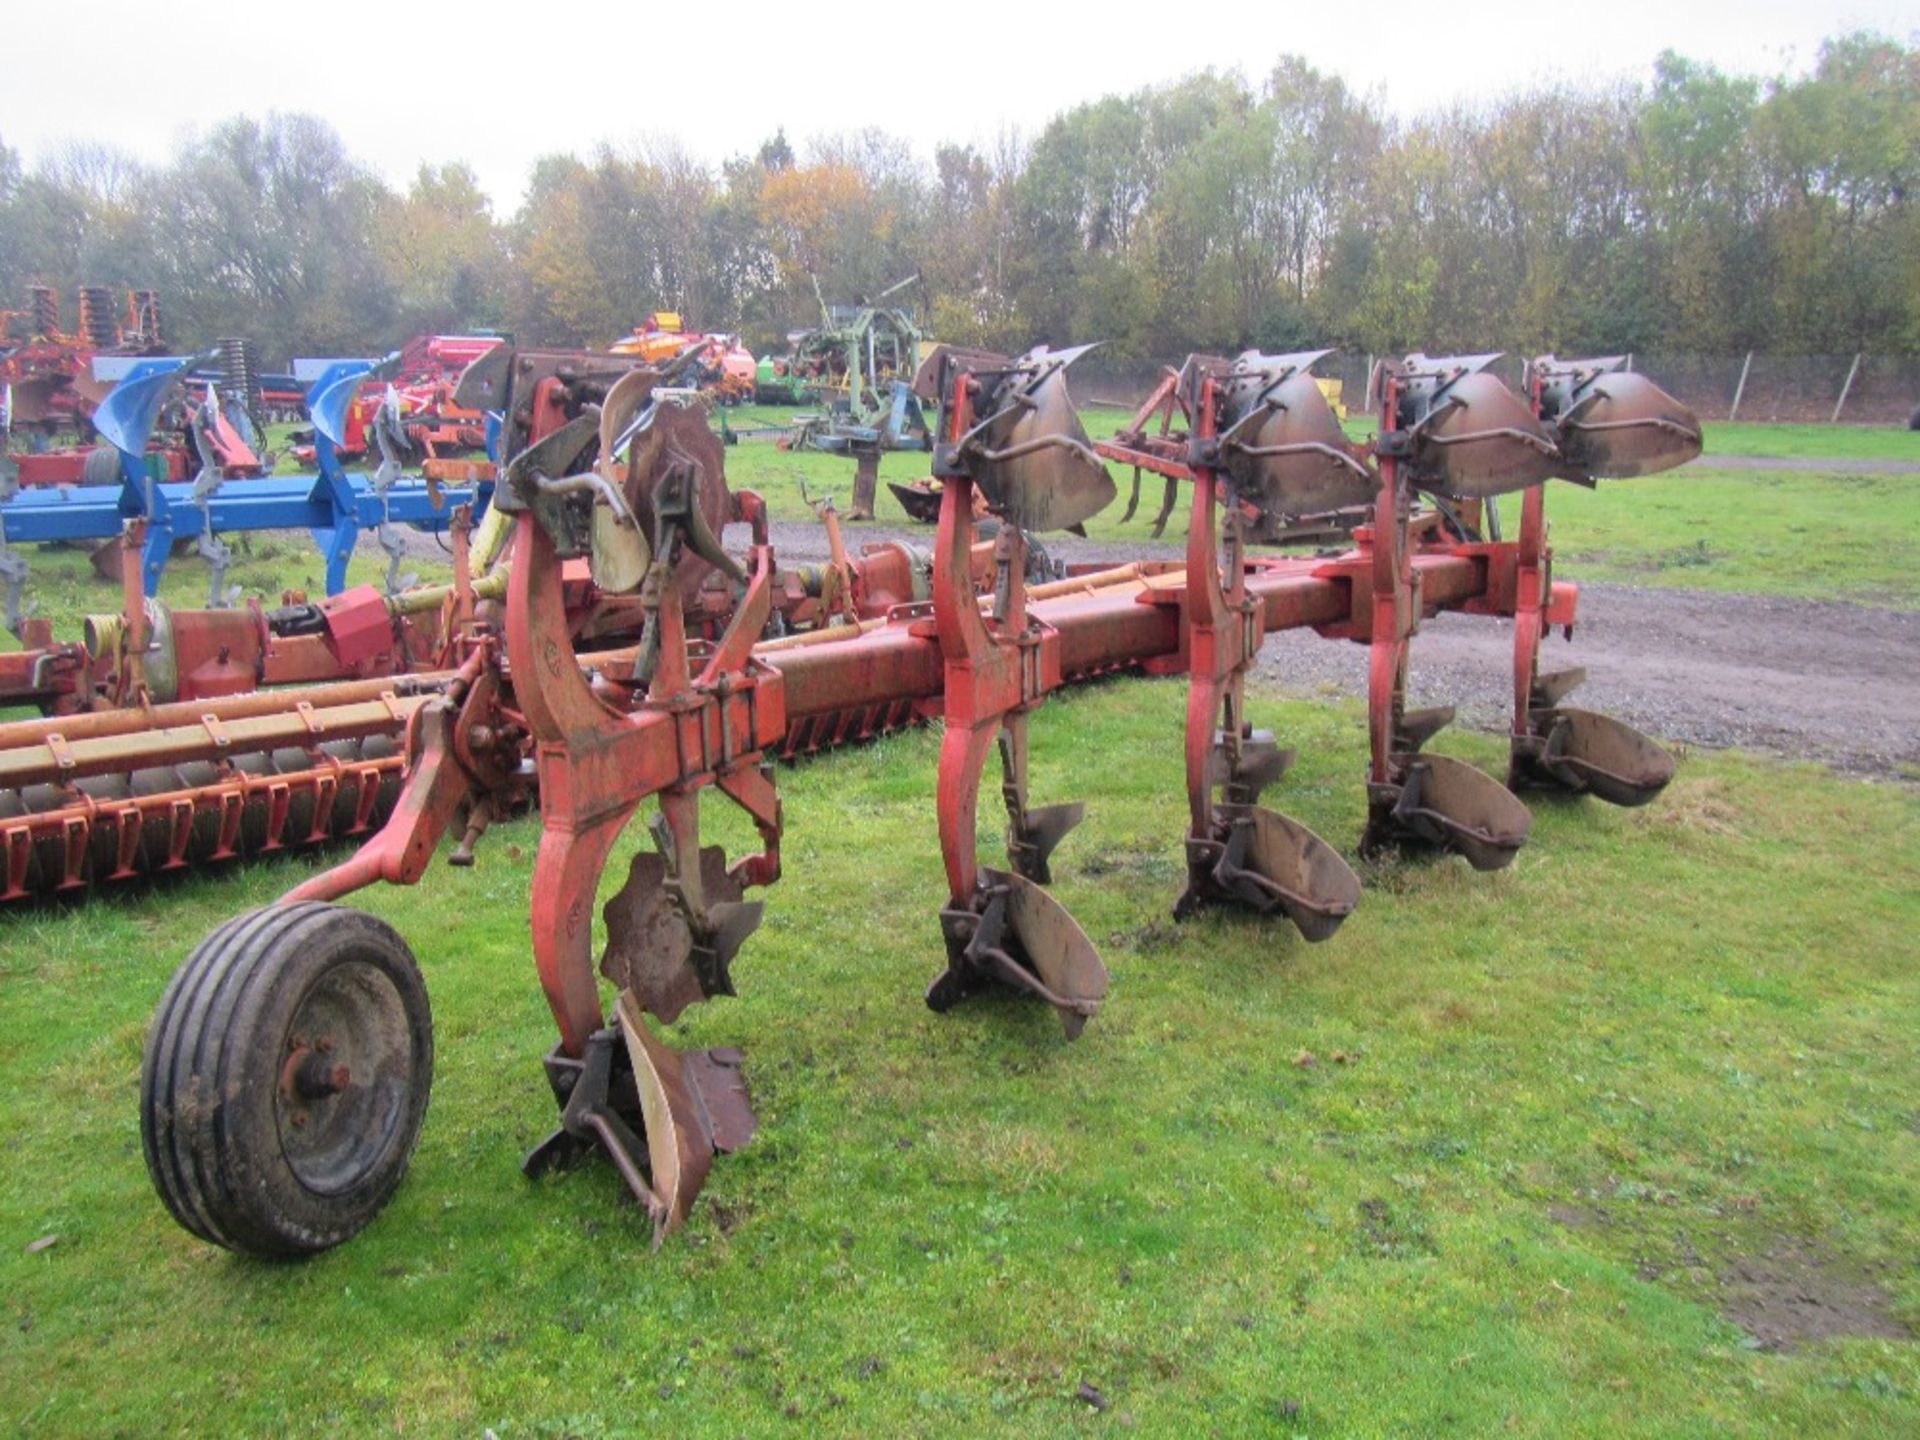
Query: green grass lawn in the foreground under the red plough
[[1499, 1159]]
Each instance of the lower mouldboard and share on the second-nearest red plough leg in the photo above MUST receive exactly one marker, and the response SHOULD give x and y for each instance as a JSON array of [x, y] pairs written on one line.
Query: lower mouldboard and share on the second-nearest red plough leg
[[1017, 934]]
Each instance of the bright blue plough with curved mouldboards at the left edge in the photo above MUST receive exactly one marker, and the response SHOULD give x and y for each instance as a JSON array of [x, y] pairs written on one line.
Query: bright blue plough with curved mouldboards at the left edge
[[335, 506]]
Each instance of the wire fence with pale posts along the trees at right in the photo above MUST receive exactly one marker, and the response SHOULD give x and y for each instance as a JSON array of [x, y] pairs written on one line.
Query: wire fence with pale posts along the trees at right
[[1846, 389]]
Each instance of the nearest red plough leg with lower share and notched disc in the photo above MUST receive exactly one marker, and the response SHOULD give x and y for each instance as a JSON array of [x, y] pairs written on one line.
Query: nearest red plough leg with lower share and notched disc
[[677, 924]]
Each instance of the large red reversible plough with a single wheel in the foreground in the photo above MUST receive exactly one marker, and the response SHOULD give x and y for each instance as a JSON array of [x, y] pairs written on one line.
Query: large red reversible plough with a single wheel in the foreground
[[289, 1065]]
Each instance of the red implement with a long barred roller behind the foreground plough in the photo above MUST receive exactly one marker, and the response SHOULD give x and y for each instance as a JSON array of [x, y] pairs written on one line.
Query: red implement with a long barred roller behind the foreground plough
[[183, 715]]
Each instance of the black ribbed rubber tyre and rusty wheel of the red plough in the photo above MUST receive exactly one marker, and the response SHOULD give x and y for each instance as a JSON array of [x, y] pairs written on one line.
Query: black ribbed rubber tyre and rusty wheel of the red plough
[[287, 1078]]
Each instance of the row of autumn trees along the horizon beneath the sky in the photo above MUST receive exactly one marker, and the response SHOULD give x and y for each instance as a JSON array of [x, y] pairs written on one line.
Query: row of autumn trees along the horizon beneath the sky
[[1698, 212]]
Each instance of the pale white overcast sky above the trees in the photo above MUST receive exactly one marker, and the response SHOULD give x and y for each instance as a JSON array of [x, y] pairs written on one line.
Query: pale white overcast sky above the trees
[[498, 85]]
